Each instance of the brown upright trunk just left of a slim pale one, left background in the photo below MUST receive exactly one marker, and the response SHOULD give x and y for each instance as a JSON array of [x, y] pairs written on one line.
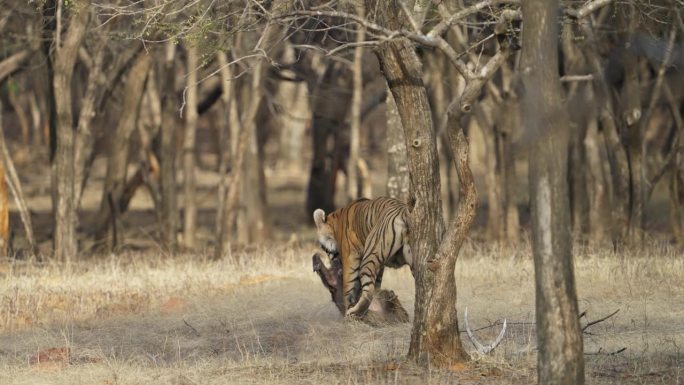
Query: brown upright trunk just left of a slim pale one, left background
[[169, 206]]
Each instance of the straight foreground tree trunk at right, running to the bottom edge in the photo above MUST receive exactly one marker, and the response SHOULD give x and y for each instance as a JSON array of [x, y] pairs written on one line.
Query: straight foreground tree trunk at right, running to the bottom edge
[[559, 339]]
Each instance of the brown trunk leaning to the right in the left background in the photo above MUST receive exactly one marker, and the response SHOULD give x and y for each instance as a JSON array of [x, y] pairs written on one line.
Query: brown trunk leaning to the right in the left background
[[117, 162]]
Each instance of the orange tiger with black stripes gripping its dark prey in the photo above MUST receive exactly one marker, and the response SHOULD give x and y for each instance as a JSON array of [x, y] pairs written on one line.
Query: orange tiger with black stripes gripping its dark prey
[[365, 236]]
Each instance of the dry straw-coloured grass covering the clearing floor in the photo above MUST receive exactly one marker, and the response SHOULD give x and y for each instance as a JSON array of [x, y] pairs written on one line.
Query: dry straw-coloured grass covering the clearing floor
[[148, 319]]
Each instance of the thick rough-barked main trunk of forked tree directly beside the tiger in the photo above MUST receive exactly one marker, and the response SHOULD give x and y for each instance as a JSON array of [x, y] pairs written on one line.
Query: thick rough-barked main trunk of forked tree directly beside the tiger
[[434, 337]]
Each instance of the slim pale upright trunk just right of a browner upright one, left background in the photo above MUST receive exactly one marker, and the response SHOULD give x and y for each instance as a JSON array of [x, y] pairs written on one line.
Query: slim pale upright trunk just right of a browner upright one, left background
[[190, 205]]
